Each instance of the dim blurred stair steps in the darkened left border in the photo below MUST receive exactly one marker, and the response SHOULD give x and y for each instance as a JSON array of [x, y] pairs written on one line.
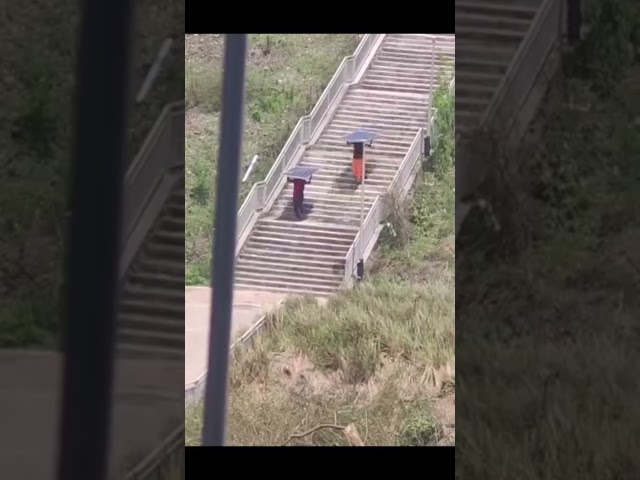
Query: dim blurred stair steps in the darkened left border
[[151, 314]]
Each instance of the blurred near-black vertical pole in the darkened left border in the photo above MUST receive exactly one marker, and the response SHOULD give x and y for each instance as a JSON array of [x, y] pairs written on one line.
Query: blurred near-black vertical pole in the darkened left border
[[94, 239]]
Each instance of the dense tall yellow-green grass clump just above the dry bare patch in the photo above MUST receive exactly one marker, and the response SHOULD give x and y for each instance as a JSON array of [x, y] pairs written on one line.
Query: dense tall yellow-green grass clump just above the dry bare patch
[[354, 330]]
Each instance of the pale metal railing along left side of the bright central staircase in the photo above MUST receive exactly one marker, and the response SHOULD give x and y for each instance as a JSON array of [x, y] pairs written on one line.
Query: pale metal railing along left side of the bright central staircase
[[263, 193]]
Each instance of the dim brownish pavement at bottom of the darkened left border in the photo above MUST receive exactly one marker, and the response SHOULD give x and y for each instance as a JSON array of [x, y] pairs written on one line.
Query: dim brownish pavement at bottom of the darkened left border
[[148, 405]]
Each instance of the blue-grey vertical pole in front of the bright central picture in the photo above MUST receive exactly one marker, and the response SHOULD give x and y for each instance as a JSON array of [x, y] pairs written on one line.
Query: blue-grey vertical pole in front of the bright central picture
[[215, 409]]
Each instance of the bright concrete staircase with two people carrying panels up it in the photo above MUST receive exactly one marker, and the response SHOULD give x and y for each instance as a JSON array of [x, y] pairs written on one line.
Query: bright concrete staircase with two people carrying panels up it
[[391, 99]]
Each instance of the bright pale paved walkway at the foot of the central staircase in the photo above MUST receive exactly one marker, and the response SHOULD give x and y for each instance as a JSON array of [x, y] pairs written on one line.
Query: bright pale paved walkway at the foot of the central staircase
[[248, 307]]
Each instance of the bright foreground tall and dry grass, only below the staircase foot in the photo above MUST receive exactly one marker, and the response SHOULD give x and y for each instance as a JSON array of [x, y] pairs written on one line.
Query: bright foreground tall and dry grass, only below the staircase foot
[[375, 356]]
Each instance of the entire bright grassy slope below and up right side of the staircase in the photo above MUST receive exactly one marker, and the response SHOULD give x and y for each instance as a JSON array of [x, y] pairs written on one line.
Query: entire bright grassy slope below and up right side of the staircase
[[380, 356]]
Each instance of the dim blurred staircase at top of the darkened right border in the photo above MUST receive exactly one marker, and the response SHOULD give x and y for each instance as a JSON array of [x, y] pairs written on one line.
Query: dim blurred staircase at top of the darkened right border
[[488, 35]]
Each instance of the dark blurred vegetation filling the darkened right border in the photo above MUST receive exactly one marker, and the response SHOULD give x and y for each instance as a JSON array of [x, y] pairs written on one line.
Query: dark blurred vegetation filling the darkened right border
[[548, 333]]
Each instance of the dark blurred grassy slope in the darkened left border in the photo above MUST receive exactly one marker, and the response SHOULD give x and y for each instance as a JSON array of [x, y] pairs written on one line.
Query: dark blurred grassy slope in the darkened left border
[[37, 83]]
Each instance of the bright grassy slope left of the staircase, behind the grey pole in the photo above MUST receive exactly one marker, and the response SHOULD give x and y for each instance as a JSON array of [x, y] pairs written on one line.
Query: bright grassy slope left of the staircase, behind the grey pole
[[286, 75]]
